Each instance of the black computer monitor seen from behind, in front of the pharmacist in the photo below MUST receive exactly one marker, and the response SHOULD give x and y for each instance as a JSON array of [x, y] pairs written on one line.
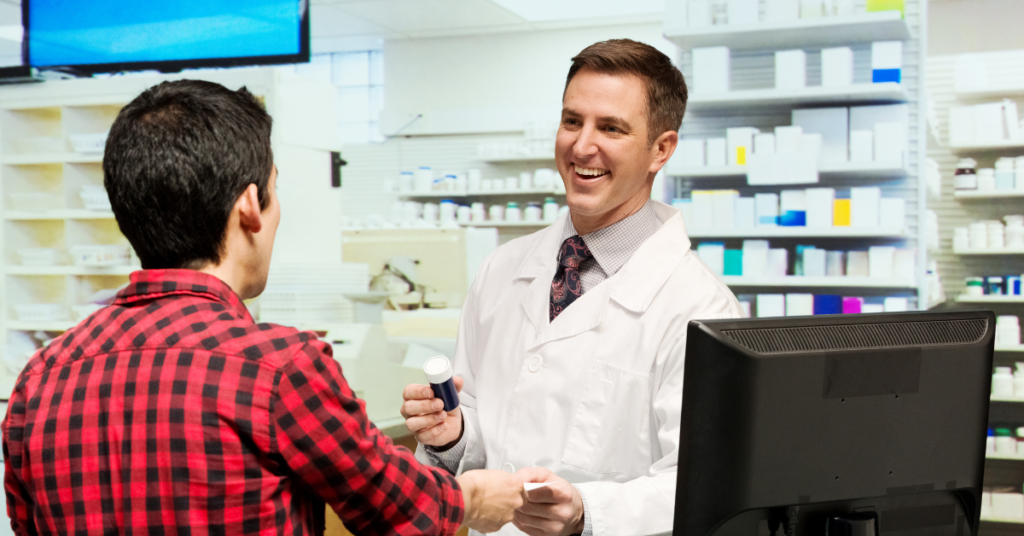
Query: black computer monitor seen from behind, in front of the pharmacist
[[804, 420]]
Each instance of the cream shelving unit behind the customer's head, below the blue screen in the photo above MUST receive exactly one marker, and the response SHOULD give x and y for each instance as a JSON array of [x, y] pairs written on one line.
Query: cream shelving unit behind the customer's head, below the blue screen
[[41, 177]]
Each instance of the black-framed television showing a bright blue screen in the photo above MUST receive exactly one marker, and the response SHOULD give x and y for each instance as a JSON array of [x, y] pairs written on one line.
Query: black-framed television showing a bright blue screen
[[115, 35]]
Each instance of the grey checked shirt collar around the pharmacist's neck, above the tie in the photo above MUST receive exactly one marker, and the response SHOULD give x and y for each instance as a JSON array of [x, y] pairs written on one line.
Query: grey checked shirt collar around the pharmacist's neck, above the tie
[[614, 245]]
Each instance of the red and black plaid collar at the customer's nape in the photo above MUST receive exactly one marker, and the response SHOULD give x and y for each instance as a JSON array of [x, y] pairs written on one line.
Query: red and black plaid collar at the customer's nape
[[153, 284]]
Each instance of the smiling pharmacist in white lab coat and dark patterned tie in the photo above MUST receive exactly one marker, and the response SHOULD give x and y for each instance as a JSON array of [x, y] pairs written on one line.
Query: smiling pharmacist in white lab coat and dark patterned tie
[[572, 341]]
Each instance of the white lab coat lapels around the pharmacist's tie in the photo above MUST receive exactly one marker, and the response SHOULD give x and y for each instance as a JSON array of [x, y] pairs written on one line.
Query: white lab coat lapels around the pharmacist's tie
[[634, 287]]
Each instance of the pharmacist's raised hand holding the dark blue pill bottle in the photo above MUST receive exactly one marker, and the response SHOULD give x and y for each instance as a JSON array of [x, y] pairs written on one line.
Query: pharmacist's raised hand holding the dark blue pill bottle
[[426, 419]]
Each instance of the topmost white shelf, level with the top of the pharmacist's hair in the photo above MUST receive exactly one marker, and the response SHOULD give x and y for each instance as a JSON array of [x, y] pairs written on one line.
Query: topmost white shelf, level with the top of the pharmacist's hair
[[803, 33]]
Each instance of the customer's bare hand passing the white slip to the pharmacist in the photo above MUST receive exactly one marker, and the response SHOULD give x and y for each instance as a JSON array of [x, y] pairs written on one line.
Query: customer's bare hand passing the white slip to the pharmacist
[[491, 499]]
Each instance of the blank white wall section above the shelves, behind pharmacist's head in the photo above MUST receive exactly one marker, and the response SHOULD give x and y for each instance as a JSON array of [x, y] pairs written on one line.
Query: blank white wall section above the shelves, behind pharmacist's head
[[489, 84]]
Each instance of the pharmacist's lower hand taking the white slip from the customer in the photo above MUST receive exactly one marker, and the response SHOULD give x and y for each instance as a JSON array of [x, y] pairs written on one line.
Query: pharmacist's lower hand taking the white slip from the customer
[[556, 510]]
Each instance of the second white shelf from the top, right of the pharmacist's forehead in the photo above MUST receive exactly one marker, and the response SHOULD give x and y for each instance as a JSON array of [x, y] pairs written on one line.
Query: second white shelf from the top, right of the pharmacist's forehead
[[883, 93]]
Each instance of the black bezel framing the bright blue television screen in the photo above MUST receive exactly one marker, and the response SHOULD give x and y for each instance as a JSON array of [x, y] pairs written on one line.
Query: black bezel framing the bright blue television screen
[[174, 66]]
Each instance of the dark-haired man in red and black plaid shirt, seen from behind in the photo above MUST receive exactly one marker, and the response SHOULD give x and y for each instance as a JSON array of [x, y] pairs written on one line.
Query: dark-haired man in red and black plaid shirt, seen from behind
[[172, 411]]
